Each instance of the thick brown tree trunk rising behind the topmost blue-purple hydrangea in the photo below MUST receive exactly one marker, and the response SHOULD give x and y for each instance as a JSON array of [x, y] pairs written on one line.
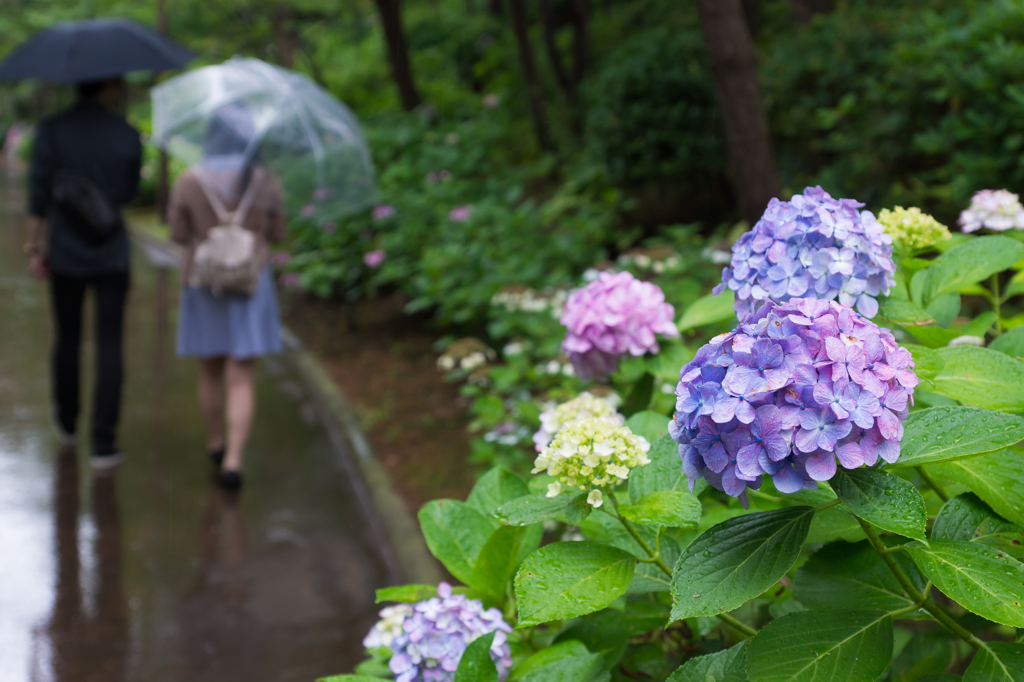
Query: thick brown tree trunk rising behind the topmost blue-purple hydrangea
[[735, 68]]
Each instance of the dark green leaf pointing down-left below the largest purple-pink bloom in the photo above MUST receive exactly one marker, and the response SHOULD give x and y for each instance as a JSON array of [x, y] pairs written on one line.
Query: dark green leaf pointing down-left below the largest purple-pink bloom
[[737, 561]]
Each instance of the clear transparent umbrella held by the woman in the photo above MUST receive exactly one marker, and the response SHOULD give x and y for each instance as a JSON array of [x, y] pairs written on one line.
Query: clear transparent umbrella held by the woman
[[227, 119]]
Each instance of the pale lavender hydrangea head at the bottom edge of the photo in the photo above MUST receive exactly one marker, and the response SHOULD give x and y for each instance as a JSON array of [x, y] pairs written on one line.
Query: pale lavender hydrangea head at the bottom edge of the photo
[[438, 633]]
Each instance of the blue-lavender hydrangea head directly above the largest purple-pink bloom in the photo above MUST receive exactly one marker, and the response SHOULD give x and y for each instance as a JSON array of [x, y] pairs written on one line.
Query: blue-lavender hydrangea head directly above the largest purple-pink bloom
[[812, 246]]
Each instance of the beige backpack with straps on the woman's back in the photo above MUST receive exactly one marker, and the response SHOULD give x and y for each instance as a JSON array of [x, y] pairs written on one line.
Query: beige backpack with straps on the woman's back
[[227, 261]]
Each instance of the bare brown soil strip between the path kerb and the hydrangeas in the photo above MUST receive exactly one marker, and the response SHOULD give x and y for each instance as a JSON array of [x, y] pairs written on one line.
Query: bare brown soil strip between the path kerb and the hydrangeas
[[385, 363]]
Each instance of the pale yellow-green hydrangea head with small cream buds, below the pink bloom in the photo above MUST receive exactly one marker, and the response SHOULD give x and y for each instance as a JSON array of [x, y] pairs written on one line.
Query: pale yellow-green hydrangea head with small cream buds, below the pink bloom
[[592, 454]]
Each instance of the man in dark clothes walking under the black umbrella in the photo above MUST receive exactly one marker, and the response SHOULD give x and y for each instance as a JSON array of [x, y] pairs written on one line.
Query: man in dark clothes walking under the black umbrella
[[91, 140]]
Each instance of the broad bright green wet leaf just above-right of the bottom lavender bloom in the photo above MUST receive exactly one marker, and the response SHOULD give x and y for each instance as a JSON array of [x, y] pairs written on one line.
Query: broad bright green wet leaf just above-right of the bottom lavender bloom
[[567, 580]]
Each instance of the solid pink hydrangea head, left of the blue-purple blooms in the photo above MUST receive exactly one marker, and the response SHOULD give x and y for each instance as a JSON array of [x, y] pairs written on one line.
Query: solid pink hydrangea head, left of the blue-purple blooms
[[613, 316]]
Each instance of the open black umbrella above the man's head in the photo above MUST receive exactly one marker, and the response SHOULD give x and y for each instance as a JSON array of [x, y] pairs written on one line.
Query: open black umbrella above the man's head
[[93, 51]]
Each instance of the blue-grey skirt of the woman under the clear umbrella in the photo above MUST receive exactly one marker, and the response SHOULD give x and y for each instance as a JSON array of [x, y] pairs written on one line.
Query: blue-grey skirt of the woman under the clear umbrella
[[230, 325]]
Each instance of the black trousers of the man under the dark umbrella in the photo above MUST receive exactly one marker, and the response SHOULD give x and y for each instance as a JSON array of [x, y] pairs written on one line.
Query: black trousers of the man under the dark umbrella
[[68, 297]]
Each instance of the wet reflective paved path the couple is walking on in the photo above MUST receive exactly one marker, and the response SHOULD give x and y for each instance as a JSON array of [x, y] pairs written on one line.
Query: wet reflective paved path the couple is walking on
[[154, 574]]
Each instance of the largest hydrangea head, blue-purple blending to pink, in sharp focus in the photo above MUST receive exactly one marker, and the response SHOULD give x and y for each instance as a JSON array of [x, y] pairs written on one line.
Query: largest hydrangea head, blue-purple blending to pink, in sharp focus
[[796, 388]]
